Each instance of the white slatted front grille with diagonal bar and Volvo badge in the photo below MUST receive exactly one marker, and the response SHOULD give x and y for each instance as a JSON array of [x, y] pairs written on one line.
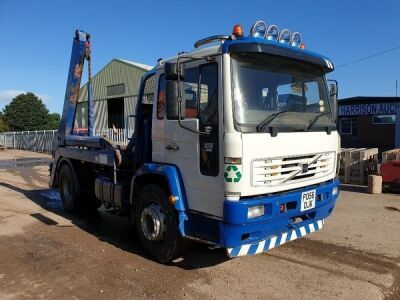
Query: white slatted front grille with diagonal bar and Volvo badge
[[285, 170]]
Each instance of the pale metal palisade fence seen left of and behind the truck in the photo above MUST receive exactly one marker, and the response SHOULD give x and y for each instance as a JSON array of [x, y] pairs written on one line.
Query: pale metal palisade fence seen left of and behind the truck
[[42, 140]]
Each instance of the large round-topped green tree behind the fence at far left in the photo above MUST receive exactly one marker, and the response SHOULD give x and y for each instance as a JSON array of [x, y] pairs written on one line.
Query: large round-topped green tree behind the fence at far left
[[26, 112]]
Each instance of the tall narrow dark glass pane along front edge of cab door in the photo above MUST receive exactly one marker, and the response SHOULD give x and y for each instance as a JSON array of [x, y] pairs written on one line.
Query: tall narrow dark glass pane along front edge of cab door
[[208, 119]]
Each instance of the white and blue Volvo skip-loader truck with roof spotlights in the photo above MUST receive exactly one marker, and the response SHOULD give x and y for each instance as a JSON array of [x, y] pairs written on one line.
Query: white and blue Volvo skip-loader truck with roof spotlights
[[235, 145]]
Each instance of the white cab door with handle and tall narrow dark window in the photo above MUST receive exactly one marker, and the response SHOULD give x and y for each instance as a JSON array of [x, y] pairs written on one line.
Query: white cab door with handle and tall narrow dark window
[[198, 156]]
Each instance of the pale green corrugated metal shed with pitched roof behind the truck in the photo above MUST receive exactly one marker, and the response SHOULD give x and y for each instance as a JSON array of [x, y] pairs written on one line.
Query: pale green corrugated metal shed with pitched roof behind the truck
[[115, 90]]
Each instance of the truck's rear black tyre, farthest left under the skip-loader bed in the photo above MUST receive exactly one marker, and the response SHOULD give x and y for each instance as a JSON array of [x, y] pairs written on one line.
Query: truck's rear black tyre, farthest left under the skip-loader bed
[[67, 189]]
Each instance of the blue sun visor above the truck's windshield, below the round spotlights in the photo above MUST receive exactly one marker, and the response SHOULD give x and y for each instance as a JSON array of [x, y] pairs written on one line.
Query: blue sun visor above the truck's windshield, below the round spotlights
[[274, 48]]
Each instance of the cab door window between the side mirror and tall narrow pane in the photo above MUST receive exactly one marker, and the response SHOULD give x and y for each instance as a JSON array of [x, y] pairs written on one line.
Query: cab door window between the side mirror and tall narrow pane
[[191, 87]]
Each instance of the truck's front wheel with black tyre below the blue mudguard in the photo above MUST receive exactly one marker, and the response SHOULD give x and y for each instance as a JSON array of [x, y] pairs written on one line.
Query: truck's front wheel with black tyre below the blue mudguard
[[156, 223]]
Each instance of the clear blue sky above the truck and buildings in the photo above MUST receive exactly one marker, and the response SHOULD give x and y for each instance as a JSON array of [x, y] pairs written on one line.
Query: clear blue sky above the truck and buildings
[[36, 37]]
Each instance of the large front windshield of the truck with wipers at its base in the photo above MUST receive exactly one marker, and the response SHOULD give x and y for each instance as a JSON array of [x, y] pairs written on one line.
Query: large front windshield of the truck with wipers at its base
[[266, 85]]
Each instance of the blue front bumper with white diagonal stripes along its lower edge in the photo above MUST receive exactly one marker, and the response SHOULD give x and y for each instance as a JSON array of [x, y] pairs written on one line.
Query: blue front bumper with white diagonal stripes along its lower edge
[[243, 236]]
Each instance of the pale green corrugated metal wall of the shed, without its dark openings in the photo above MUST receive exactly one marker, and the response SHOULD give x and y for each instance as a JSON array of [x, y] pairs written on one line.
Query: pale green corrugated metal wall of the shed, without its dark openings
[[116, 72]]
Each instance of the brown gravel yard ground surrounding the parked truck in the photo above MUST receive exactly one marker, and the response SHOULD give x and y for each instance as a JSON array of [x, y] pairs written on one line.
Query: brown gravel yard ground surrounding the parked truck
[[46, 253]]
